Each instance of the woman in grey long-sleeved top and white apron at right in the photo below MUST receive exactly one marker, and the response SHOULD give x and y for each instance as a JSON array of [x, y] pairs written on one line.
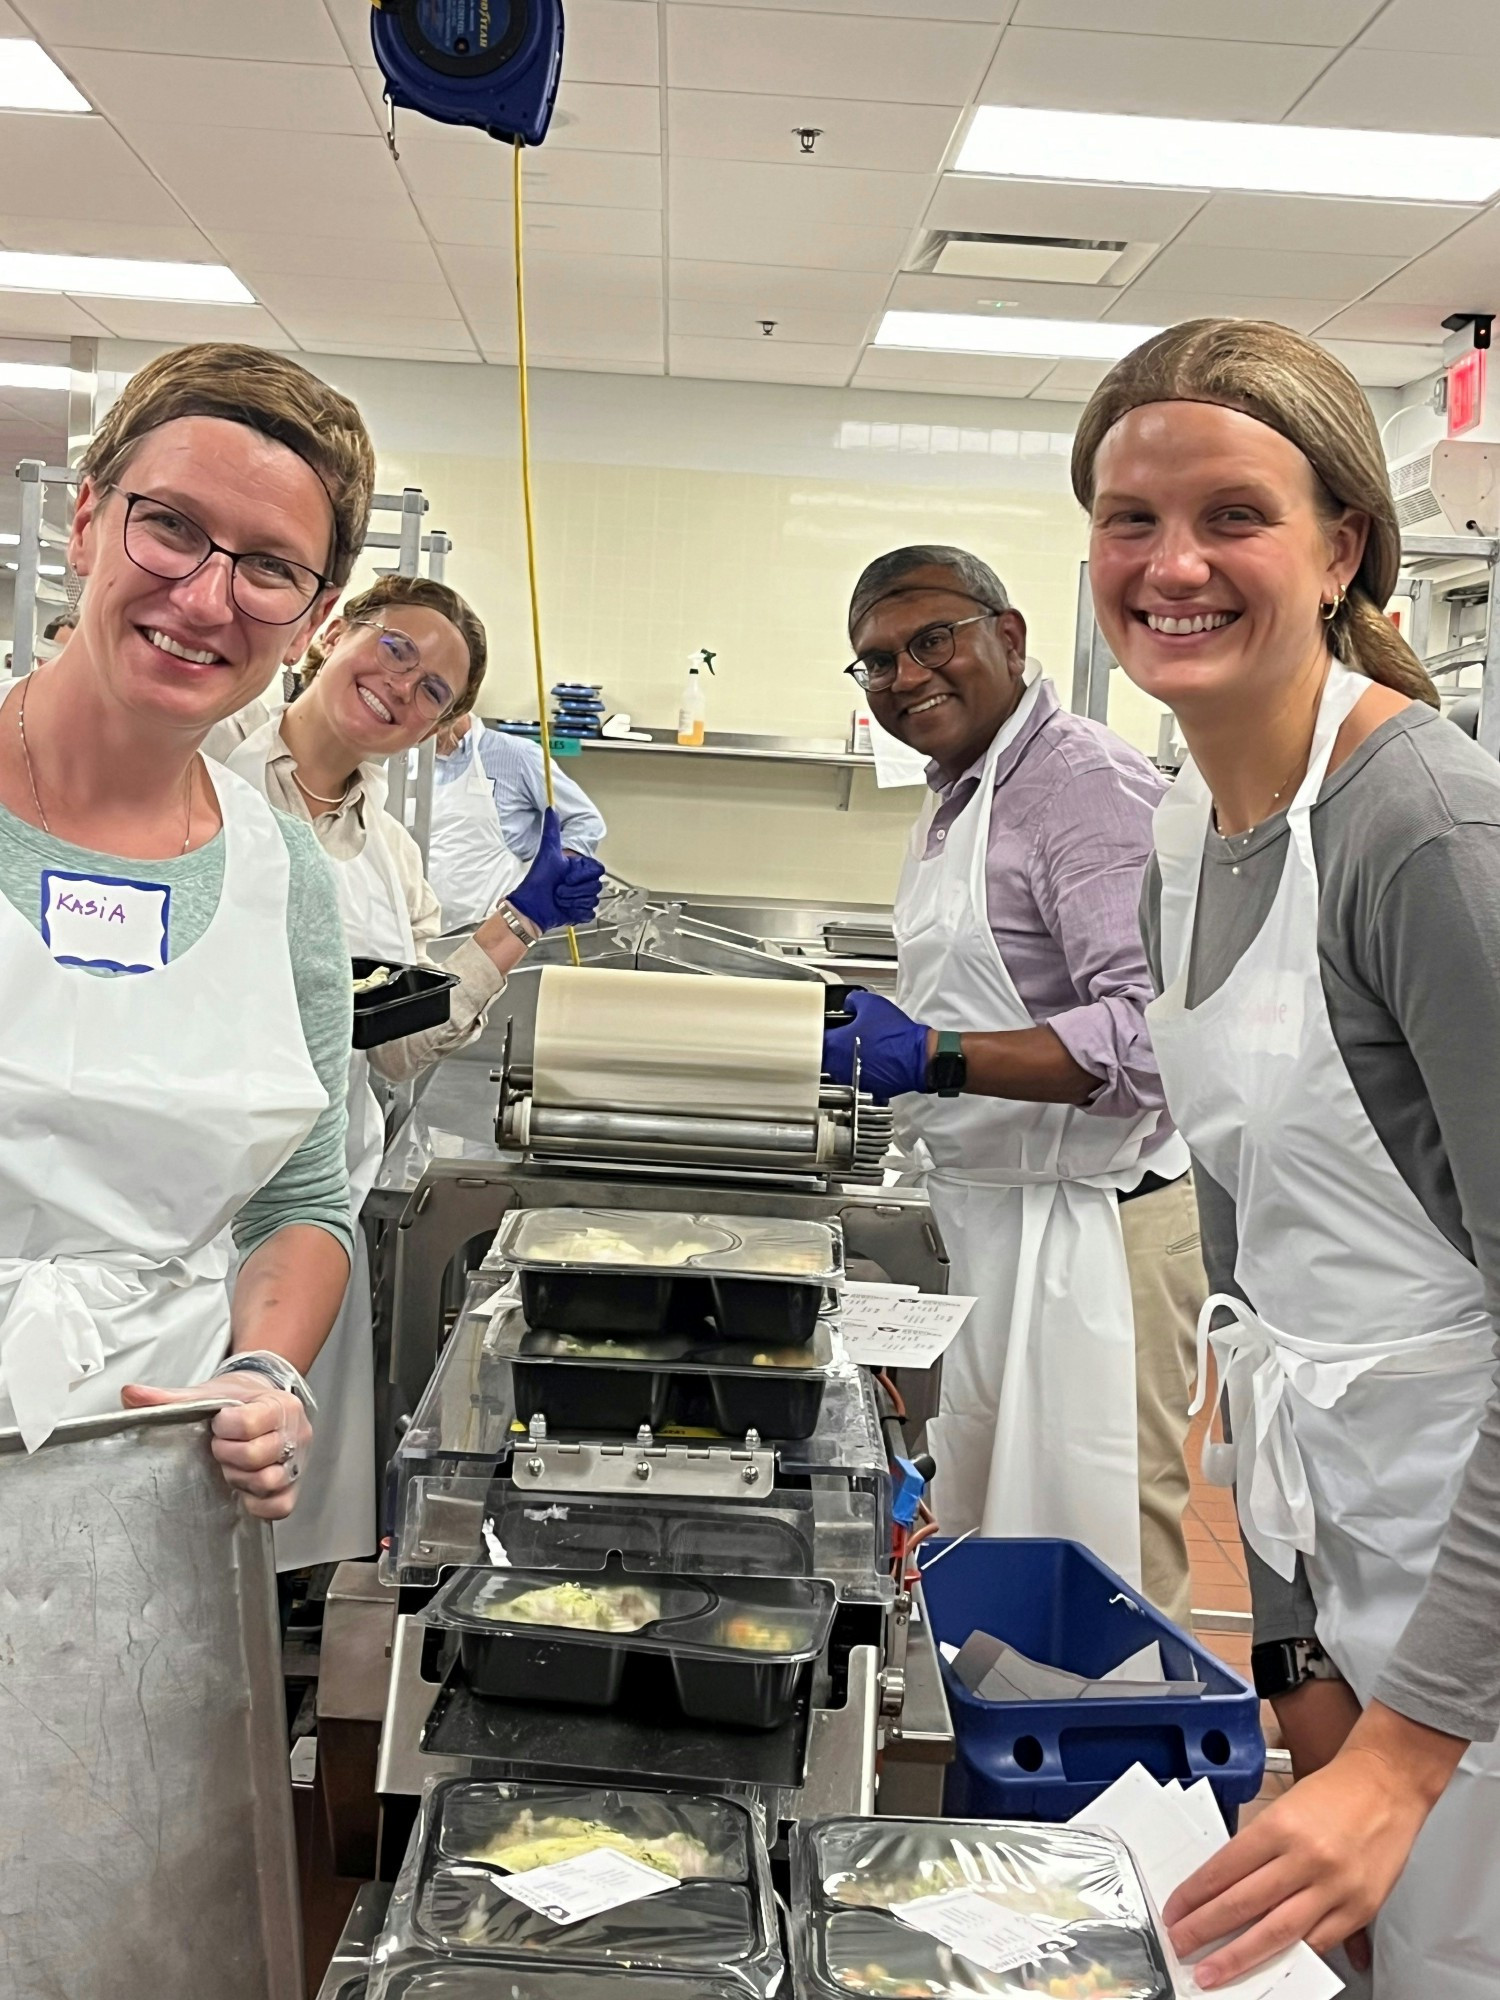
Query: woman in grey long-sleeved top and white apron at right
[[1325, 923]]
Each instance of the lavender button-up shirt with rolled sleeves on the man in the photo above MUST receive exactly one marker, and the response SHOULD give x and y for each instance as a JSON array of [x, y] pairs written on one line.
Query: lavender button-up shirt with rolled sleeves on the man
[[1071, 833]]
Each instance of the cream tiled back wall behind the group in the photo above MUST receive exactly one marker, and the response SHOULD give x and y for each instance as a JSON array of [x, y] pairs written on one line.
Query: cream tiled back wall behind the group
[[677, 515]]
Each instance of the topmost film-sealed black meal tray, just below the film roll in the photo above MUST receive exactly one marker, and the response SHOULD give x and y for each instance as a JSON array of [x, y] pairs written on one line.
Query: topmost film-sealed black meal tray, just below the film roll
[[631, 1271]]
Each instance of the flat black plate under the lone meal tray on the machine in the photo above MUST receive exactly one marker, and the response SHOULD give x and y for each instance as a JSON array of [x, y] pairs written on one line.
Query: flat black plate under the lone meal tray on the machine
[[643, 1737]]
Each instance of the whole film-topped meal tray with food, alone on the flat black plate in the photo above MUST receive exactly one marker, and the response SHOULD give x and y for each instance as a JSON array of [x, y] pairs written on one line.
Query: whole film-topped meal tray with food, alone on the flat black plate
[[739, 1649]]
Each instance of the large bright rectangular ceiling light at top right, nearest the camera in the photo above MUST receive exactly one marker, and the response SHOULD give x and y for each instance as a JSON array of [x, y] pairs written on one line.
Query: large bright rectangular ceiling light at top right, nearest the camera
[[1199, 153]]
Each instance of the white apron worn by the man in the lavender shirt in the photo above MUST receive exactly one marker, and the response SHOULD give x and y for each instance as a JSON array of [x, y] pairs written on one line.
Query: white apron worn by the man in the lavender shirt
[[1037, 1427]]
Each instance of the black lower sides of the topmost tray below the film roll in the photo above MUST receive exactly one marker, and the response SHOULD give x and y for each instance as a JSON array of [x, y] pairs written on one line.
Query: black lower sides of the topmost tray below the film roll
[[771, 1313]]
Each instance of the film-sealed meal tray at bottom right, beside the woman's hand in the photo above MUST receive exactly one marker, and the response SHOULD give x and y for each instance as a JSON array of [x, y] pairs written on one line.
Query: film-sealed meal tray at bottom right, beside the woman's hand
[[1097, 1939]]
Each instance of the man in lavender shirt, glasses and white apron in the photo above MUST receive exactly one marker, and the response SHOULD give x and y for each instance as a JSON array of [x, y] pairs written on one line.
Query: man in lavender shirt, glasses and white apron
[[1023, 1077]]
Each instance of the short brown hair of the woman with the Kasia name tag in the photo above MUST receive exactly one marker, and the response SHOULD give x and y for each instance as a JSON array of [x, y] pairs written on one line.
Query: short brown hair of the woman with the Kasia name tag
[[265, 393]]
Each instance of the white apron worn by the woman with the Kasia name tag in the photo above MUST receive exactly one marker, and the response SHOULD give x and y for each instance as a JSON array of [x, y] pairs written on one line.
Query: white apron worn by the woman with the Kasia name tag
[[141, 1113]]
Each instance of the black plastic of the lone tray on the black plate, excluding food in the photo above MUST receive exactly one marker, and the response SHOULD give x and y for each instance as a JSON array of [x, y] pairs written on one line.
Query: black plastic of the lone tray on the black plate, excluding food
[[703, 1675]]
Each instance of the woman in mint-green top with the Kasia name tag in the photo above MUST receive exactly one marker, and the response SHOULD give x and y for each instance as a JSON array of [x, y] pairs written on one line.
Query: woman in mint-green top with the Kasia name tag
[[173, 983]]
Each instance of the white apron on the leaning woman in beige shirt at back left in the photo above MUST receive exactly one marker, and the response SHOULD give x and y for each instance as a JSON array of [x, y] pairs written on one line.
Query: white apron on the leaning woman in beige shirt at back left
[[335, 1517]]
